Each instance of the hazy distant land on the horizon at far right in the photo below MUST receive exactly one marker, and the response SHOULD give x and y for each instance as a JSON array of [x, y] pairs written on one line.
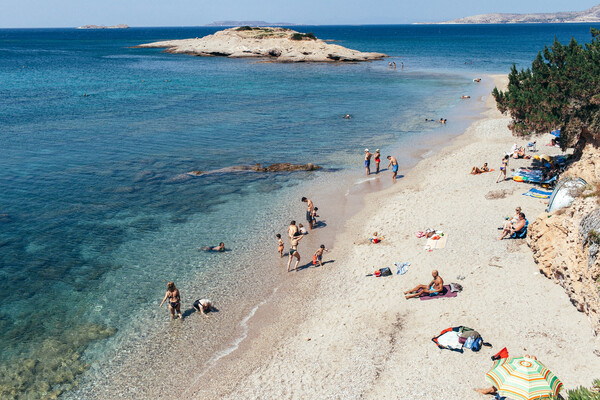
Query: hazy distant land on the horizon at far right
[[590, 15]]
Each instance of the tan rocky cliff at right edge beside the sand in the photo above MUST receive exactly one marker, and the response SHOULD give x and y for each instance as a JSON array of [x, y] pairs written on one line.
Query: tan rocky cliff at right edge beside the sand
[[565, 244]]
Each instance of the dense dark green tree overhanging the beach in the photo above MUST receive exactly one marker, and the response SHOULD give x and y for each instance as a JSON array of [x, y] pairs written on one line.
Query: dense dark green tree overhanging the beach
[[560, 90]]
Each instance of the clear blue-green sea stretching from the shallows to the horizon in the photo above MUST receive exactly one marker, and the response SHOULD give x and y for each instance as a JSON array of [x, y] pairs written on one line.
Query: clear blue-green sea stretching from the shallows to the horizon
[[98, 211]]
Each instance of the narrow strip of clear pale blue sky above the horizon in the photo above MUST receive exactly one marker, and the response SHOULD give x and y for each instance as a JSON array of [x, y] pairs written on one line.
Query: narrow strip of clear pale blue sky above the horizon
[[72, 13]]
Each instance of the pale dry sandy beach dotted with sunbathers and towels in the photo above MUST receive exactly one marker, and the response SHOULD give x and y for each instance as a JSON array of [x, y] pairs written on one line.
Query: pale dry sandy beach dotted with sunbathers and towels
[[334, 333]]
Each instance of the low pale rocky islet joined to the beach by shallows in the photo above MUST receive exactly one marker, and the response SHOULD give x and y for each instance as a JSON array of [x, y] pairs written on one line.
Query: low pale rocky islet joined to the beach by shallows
[[274, 44]]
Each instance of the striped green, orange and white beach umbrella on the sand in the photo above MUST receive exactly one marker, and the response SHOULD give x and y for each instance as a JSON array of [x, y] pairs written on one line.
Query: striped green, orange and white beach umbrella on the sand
[[523, 378]]
